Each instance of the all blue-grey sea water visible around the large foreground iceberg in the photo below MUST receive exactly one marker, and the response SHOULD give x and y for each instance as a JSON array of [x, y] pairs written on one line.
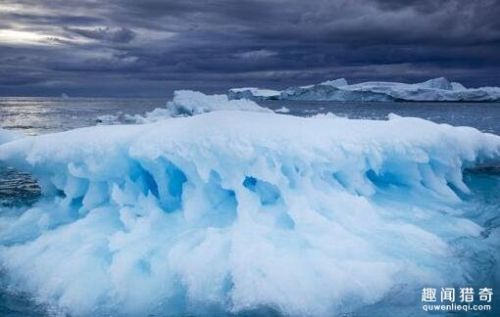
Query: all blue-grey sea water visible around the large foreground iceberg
[[34, 116]]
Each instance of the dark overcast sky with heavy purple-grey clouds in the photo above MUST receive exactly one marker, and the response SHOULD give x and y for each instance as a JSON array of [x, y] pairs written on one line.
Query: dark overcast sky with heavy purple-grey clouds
[[151, 47]]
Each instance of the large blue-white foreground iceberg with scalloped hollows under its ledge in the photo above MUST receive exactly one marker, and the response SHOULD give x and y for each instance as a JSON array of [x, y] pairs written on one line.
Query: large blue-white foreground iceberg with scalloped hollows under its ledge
[[234, 211]]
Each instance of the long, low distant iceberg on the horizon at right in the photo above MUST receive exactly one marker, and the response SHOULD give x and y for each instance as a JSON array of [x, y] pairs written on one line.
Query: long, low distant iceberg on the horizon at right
[[437, 89]]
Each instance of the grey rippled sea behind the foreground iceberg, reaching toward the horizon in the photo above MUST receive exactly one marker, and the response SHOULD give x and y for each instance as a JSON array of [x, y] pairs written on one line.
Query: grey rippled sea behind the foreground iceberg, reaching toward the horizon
[[33, 116]]
